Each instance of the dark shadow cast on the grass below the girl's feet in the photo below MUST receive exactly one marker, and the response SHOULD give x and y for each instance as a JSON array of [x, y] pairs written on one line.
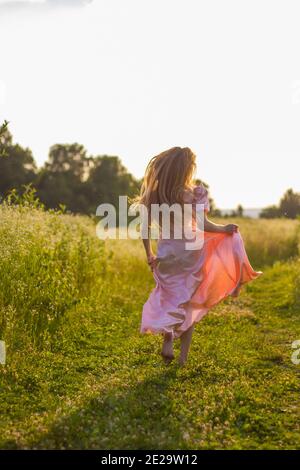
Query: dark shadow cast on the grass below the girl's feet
[[139, 416]]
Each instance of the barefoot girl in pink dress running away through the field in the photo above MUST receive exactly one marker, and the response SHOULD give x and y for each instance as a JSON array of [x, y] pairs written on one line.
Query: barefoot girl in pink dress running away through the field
[[188, 282]]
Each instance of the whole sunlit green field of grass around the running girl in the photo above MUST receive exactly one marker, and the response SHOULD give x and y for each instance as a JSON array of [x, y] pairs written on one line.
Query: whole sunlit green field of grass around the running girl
[[80, 375]]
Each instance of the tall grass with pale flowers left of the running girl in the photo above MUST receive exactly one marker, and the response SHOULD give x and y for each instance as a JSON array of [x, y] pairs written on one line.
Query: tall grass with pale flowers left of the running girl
[[49, 262]]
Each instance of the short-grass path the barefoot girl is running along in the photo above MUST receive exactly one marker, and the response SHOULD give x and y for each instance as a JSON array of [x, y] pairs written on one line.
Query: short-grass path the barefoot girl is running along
[[103, 385]]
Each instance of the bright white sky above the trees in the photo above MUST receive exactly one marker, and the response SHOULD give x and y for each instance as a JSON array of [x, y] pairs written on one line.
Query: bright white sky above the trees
[[135, 77]]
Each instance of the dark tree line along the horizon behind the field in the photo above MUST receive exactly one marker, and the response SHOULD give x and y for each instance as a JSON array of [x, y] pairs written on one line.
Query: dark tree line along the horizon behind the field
[[80, 182]]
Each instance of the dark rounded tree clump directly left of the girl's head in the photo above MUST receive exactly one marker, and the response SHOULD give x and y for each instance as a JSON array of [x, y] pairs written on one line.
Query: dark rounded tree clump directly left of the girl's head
[[80, 182]]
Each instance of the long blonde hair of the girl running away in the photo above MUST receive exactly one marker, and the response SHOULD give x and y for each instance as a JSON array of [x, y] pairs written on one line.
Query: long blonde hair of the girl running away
[[167, 176]]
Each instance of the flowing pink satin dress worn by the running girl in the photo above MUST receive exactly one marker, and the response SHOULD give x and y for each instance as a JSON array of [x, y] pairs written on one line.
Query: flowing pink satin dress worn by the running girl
[[190, 282]]
